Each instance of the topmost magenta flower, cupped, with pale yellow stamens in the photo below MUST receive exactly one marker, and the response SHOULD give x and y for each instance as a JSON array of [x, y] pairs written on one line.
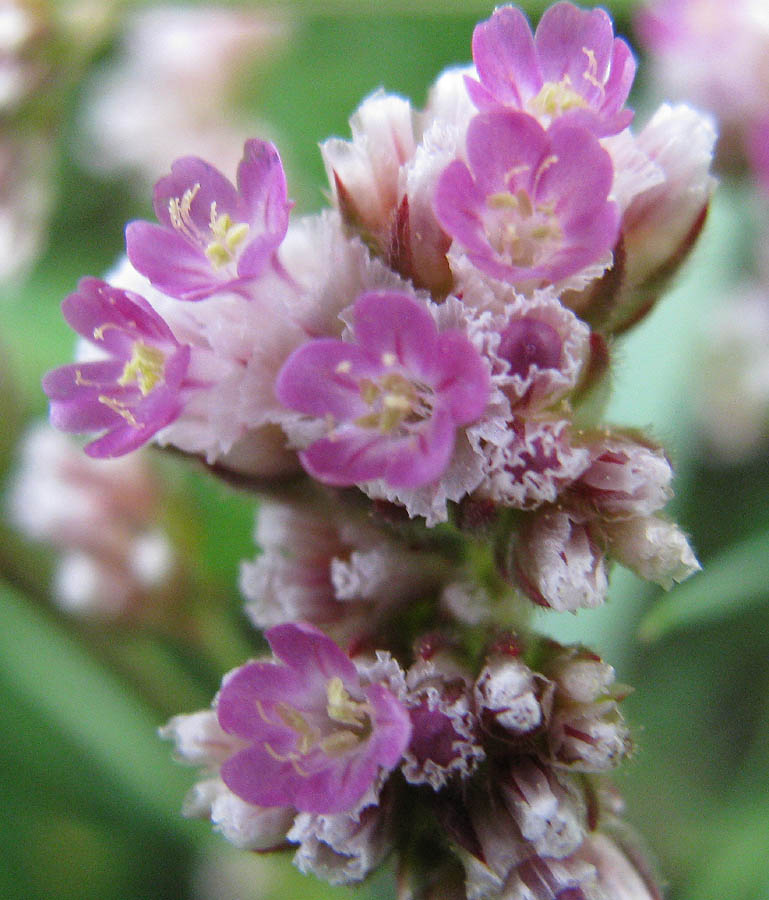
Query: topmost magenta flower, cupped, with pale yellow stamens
[[572, 66]]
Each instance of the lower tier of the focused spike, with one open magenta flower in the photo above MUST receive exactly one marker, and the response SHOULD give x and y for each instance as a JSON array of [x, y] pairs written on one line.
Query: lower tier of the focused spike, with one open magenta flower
[[304, 747]]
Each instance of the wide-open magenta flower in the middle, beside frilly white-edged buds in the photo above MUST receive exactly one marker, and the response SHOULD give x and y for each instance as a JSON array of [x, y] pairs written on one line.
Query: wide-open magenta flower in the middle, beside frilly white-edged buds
[[393, 400]]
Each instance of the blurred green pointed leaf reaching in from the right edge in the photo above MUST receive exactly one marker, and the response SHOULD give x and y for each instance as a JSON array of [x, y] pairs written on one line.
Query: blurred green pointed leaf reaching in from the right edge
[[734, 580]]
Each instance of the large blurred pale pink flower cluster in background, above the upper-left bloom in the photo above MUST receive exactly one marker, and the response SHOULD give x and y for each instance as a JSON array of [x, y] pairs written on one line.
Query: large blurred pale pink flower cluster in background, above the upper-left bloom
[[170, 87]]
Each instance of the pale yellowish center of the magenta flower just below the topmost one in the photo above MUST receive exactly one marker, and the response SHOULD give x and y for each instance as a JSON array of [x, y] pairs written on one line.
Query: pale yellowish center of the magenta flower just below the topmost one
[[521, 232]]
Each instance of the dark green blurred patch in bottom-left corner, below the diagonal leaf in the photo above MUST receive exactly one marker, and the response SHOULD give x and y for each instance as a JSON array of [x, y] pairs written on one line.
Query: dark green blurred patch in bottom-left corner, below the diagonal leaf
[[66, 816]]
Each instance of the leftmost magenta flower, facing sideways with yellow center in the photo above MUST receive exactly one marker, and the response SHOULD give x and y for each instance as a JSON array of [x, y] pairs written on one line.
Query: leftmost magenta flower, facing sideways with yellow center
[[136, 389]]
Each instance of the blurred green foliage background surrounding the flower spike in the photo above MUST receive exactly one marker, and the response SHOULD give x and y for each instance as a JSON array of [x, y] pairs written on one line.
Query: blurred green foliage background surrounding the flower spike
[[90, 797]]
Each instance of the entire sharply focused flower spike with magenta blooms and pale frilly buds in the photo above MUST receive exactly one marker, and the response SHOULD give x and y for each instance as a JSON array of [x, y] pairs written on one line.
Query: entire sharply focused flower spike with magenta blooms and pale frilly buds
[[420, 369]]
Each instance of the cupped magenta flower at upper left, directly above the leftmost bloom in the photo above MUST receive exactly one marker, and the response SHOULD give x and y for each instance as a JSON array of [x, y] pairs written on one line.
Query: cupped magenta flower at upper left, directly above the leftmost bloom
[[212, 235]]
